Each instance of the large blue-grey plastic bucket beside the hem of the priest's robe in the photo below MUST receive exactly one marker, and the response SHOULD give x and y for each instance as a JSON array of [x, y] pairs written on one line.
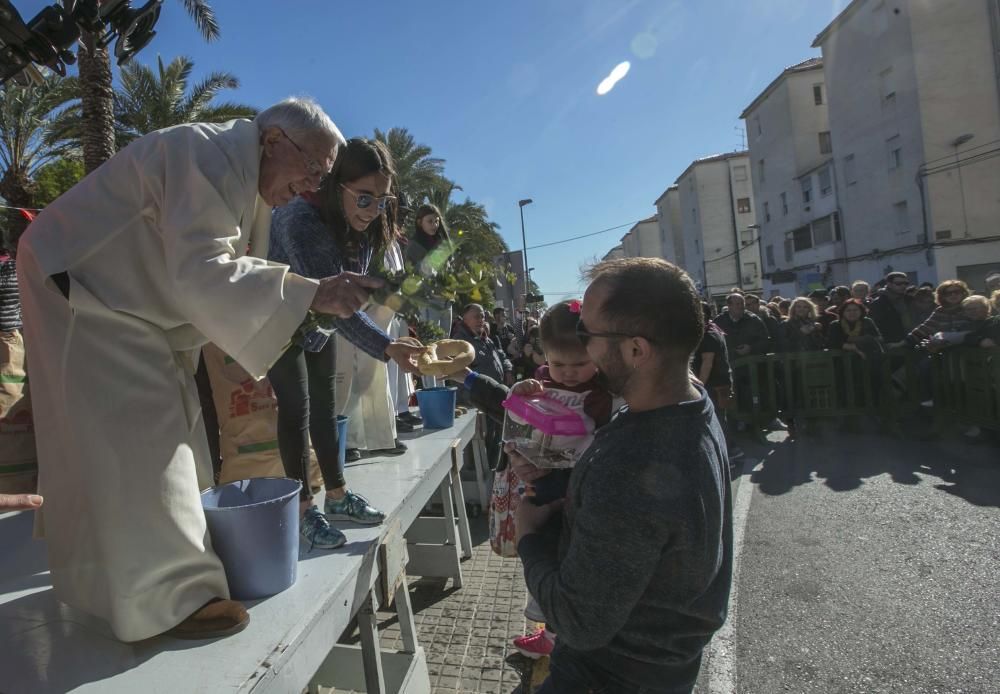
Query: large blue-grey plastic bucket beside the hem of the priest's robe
[[254, 525]]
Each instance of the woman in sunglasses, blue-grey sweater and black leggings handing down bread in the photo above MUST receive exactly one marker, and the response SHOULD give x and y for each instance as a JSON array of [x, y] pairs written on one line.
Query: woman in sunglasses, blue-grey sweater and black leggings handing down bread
[[343, 226]]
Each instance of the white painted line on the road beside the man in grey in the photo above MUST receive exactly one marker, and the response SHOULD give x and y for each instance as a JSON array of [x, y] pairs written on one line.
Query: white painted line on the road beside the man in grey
[[722, 649]]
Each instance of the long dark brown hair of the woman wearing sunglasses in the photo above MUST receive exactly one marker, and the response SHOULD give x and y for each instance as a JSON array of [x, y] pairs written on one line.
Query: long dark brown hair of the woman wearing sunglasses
[[360, 157]]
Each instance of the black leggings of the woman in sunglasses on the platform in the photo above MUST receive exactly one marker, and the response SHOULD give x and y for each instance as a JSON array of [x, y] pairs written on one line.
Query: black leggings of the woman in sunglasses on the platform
[[303, 384]]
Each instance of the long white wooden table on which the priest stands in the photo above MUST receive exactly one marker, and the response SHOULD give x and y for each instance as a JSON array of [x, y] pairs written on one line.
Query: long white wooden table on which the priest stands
[[291, 642]]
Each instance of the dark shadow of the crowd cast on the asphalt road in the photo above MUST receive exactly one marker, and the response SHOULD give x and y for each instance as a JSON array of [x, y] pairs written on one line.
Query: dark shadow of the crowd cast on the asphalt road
[[843, 461]]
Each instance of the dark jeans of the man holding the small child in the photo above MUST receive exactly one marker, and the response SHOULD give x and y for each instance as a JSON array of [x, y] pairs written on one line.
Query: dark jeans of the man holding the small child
[[573, 672]]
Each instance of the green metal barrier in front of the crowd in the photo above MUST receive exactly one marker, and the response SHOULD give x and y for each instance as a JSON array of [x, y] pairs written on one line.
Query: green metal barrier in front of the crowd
[[965, 383]]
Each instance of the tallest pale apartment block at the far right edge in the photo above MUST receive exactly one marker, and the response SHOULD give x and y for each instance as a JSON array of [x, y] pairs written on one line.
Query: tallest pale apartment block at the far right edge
[[914, 111]]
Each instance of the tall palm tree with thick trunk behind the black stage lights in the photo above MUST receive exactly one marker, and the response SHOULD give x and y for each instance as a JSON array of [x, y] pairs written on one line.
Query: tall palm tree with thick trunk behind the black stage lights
[[97, 95]]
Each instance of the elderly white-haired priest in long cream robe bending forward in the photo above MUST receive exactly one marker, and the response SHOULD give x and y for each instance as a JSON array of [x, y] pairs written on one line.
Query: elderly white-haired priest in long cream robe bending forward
[[122, 279]]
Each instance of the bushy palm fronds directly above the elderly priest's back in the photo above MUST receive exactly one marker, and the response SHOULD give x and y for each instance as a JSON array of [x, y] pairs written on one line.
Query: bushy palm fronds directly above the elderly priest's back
[[151, 100]]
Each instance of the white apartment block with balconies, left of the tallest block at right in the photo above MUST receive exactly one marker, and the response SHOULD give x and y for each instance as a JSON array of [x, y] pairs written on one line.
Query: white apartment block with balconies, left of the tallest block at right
[[794, 183]]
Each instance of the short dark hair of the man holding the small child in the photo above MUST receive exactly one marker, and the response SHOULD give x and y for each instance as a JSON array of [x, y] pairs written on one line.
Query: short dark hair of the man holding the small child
[[654, 299]]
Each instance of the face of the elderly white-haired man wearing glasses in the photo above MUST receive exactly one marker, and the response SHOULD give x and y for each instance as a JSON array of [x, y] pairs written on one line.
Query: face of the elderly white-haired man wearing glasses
[[288, 168]]
